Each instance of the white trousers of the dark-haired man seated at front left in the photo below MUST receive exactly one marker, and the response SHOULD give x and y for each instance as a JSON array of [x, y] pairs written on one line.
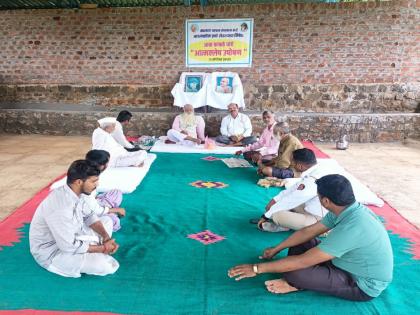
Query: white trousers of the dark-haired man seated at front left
[[68, 264]]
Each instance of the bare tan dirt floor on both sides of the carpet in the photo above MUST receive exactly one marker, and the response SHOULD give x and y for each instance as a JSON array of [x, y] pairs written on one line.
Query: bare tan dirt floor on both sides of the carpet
[[30, 162]]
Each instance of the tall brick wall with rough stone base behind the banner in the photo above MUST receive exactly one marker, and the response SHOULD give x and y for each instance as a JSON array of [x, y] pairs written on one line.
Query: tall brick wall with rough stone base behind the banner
[[134, 56]]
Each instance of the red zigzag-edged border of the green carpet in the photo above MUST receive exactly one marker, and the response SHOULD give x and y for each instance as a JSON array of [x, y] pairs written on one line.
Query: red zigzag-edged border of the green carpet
[[9, 233]]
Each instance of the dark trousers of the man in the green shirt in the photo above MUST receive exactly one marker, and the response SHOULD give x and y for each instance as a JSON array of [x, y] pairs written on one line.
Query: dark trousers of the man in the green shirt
[[325, 278]]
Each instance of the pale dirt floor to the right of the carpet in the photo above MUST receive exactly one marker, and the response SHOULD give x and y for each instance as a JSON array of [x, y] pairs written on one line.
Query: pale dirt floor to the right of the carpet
[[392, 170]]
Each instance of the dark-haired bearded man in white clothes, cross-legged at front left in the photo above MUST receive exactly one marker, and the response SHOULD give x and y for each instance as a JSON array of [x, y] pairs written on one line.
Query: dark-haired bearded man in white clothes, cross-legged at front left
[[66, 237]]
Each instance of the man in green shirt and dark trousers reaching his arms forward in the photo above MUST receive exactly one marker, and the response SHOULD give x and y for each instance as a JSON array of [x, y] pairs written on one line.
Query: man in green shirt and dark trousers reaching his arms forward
[[353, 262]]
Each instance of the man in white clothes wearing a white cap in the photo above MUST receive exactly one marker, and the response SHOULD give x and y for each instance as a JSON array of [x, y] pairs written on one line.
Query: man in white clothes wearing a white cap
[[102, 140]]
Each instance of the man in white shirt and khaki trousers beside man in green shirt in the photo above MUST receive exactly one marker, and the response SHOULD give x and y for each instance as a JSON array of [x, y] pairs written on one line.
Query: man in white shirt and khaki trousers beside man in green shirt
[[297, 206]]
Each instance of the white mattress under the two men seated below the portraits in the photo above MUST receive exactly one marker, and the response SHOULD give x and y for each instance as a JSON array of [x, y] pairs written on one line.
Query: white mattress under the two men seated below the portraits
[[161, 146]]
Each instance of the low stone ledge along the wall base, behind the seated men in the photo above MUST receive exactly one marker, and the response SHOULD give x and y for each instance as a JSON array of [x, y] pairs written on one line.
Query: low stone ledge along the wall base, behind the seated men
[[65, 119]]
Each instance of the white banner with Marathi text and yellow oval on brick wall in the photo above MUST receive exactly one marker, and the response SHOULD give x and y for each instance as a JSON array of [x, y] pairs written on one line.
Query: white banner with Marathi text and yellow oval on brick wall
[[219, 43]]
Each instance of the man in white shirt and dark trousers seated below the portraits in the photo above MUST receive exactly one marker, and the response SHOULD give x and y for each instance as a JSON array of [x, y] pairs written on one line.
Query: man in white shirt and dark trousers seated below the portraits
[[236, 128]]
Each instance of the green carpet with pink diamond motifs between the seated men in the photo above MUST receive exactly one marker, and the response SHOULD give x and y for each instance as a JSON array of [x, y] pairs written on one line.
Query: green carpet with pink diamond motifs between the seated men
[[163, 272]]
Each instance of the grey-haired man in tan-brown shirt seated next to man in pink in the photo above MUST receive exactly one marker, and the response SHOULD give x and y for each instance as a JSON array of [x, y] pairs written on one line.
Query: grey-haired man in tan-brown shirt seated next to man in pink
[[280, 166]]
